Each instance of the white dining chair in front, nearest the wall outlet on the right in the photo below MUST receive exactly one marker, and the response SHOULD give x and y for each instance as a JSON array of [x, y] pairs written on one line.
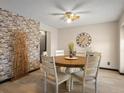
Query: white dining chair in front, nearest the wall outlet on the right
[[90, 72]]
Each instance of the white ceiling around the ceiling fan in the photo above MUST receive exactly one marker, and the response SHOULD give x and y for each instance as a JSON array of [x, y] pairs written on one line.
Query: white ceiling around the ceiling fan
[[100, 10]]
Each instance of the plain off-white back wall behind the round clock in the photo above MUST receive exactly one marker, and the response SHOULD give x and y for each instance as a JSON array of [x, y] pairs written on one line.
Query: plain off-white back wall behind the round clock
[[104, 39]]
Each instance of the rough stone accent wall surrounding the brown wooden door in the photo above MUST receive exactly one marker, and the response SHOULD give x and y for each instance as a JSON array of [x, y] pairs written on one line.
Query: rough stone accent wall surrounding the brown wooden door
[[9, 23]]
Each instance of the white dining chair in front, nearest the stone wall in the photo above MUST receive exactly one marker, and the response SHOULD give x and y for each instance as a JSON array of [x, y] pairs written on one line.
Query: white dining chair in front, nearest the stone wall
[[51, 75]]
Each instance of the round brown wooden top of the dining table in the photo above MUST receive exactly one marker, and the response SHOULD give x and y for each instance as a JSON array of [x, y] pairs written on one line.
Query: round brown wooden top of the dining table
[[62, 61]]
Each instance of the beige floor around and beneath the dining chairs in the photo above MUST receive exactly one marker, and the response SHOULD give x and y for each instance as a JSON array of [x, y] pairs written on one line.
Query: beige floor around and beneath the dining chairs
[[108, 82]]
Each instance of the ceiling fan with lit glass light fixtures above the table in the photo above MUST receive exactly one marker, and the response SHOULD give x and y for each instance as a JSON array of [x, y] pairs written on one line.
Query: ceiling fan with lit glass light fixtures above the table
[[69, 16]]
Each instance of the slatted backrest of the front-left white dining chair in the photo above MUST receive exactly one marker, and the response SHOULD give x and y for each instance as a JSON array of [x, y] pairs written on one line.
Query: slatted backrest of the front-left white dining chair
[[48, 64]]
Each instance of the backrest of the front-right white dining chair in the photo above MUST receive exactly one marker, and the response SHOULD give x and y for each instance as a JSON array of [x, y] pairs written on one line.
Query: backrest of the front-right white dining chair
[[92, 65]]
